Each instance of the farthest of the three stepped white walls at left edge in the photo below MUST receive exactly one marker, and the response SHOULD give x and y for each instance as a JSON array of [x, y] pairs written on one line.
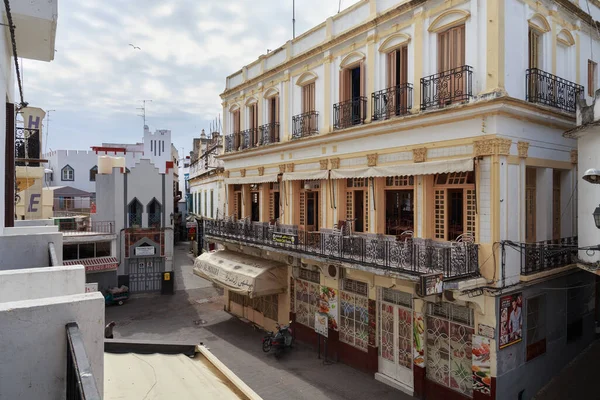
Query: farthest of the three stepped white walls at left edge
[[29, 251]]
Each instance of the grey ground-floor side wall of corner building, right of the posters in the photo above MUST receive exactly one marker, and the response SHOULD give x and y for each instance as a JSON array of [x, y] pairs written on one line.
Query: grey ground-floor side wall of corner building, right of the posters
[[514, 373]]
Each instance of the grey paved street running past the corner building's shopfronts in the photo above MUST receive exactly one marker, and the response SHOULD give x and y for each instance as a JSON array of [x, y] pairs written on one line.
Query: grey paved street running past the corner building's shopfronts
[[195, 314]]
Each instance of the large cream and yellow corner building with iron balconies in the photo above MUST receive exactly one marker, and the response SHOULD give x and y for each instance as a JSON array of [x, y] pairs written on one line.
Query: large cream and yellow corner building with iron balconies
[[401, 168]]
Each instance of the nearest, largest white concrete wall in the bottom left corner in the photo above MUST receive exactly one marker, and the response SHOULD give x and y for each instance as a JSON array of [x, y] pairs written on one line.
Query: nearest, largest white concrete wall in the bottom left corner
[[34, 344]]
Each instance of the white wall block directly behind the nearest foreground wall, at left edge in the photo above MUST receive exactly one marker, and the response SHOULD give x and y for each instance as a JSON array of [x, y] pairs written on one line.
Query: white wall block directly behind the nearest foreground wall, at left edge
[[38, 283]]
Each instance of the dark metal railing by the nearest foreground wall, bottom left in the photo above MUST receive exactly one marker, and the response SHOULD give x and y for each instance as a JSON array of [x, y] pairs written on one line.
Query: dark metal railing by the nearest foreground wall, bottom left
[[80, 382]]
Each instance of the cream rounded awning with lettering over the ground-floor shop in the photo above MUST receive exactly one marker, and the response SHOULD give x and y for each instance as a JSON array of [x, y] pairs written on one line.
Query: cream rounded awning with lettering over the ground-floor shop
[[241, 273]]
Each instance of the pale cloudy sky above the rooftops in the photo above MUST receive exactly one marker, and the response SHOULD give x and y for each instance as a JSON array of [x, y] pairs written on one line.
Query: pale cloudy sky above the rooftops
[[188, 47]]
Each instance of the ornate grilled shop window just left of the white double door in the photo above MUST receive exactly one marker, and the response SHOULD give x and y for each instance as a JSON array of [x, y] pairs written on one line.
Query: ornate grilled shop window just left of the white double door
[[354, 314]]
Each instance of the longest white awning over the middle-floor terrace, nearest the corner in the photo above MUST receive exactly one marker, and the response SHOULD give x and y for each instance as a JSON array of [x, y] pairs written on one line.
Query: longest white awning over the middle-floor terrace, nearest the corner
[[425, 168]]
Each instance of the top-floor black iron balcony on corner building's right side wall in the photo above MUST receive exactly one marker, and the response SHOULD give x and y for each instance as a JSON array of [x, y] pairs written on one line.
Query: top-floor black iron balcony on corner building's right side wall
[[550, 90]]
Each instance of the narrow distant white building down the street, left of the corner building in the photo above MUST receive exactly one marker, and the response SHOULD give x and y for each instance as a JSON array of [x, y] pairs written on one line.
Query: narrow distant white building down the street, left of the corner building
[[207, 190]]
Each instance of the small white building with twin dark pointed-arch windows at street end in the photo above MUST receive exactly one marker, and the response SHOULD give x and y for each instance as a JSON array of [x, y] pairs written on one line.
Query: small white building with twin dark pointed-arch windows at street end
[[140, 202]]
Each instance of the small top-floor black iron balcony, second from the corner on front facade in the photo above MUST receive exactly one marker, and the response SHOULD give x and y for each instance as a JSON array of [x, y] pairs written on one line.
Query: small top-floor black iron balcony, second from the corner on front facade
[[392, 102]]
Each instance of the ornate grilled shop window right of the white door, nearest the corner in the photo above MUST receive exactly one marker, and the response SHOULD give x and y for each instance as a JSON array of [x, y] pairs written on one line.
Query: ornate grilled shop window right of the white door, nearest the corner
[[449, 337]]
